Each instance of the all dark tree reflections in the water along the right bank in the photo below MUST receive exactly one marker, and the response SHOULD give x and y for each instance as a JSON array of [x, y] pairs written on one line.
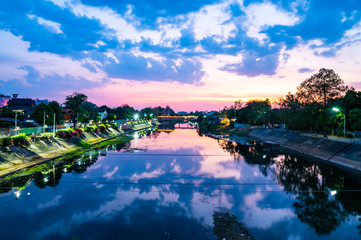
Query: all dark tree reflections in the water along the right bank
[[311, 184]]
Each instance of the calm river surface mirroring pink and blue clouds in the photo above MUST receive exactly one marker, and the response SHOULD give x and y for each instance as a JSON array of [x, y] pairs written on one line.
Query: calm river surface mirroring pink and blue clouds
[[179, 185]]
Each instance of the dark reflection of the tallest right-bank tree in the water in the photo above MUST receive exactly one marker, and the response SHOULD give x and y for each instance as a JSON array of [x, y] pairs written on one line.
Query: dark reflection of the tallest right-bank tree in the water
[[311, 185]]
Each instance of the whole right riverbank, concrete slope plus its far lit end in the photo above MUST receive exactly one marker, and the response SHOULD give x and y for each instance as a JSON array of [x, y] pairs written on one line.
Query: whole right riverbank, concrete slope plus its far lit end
[[345, 155]]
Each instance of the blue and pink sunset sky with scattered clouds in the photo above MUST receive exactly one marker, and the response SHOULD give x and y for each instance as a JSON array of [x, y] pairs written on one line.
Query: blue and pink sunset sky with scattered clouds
[[191, 55]]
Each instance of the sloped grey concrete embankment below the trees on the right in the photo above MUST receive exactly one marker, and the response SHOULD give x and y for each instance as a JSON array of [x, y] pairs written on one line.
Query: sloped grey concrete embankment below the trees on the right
[[343, 154]]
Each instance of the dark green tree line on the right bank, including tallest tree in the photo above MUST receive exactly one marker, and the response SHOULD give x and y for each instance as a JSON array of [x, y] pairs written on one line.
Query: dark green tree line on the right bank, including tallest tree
[[320, 104]]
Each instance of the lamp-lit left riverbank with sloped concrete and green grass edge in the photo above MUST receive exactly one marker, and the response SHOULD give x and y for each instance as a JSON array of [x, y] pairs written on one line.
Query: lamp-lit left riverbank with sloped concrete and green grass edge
[[13, 159]]
